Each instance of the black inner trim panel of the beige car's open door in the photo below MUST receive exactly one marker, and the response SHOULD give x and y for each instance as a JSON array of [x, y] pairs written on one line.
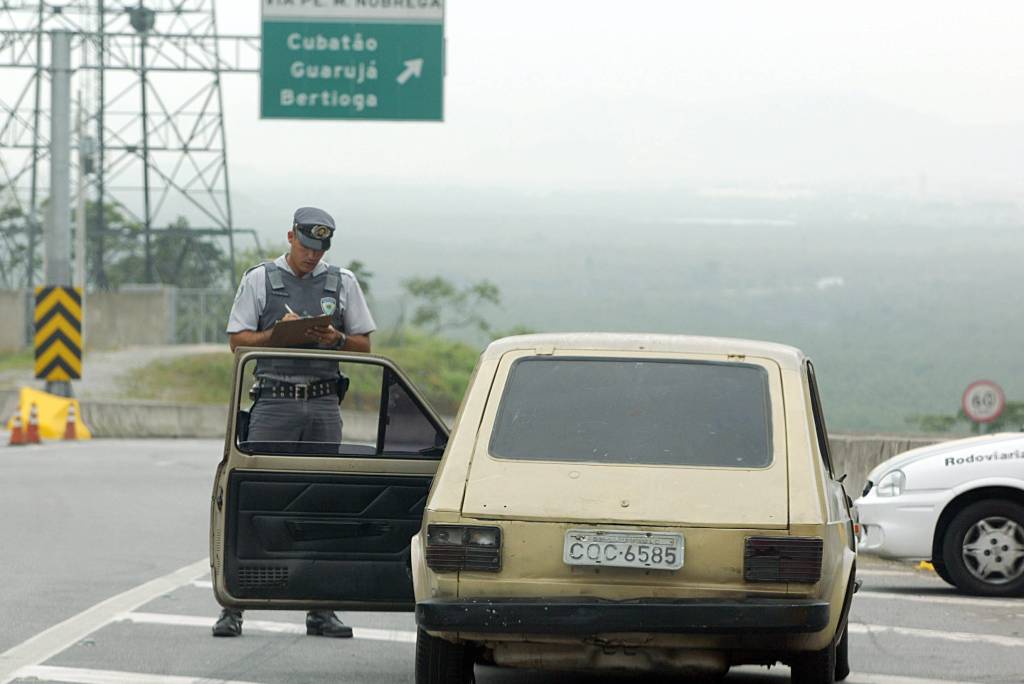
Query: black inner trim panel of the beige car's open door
[[325, 538]]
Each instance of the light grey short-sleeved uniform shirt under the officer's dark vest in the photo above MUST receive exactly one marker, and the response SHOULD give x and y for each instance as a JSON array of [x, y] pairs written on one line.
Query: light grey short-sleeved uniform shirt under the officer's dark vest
[[250, 302]]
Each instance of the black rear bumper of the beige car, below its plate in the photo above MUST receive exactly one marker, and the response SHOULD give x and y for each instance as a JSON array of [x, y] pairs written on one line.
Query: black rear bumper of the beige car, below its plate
[[587, 616]]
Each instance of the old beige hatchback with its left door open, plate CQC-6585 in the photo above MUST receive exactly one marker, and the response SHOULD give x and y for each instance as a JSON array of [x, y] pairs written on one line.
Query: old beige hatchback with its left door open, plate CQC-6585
[[606, 502]]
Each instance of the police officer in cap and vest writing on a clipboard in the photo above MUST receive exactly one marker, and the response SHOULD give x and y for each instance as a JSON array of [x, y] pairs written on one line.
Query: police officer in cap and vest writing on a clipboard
[[297, 400]]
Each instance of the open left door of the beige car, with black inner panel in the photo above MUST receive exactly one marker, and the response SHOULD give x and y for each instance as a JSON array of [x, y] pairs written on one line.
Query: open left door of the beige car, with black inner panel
[[313, 525]]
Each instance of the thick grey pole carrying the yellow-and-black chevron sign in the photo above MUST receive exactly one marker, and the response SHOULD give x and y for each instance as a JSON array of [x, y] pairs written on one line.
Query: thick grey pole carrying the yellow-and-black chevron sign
[[58, 231]]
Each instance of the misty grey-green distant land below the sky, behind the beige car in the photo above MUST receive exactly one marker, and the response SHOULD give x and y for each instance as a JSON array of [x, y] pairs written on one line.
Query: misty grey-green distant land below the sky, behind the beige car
[[899, 317]]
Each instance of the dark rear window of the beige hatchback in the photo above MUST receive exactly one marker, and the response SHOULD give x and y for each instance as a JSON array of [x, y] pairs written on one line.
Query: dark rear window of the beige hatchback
[[635, 412]]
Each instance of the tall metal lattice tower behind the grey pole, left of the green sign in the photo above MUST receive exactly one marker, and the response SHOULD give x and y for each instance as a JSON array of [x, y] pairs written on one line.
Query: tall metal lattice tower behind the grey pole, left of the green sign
[[147, 77]]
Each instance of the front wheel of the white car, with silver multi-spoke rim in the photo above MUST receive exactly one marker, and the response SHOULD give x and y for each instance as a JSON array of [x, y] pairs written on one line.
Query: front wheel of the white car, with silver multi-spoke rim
[[984, 549]]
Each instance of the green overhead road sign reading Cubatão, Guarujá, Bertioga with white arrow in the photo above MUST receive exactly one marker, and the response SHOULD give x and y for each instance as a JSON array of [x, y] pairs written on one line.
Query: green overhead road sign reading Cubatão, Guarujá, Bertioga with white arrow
[[353, 60]]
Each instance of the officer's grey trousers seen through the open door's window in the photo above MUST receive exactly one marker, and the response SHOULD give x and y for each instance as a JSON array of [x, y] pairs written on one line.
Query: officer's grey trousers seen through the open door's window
[[296, 420]]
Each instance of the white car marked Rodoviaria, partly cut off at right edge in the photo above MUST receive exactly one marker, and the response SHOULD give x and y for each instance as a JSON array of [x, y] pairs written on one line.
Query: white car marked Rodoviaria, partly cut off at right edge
[[959, 504]]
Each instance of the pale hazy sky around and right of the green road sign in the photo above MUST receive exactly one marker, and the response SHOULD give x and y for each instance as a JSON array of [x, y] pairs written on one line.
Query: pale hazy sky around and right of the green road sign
[[566, 95]]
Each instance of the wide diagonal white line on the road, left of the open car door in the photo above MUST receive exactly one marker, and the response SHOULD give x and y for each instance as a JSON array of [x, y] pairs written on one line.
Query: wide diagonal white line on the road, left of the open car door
[[49, 644]]
